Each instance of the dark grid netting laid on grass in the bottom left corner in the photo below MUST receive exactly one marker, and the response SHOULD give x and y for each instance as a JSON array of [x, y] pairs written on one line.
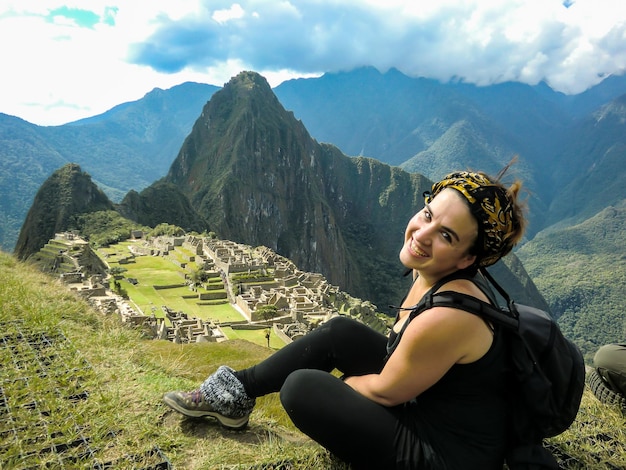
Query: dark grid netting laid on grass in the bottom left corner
[[42, 388]]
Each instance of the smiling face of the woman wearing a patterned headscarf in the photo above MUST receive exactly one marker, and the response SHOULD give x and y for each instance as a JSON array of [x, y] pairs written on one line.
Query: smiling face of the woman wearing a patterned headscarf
[[438, 238]]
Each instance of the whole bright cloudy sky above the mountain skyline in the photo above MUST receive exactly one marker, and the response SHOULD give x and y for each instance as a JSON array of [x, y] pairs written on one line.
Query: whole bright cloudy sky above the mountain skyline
[[62, 61]]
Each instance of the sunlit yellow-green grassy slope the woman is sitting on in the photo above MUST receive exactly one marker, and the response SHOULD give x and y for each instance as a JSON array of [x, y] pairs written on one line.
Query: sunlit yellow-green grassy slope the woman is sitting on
[[123, 415]]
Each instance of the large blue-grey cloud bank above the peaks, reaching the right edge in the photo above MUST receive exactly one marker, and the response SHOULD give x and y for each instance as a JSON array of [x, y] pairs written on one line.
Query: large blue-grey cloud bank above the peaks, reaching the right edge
[[568, 44]]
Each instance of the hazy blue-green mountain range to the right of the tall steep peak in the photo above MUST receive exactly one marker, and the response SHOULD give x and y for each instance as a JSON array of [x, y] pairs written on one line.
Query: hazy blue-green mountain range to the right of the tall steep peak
[[572, 159]]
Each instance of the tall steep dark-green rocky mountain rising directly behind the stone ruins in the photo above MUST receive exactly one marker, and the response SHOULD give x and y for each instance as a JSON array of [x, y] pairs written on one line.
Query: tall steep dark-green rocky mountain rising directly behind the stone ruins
[[253, 171]]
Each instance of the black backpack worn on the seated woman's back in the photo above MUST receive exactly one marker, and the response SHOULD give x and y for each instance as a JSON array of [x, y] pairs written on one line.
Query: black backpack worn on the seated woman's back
[[547, 371]]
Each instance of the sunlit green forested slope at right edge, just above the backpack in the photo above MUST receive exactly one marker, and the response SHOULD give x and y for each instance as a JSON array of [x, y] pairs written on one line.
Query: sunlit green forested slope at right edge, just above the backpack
[[581, 270]]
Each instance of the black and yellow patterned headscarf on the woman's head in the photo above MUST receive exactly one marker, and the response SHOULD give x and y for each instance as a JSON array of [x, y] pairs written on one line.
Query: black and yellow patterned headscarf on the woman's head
[[491, 206]]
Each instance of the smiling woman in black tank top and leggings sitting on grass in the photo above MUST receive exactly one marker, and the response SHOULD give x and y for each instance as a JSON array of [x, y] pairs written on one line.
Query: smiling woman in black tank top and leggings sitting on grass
[[432, 395]]
